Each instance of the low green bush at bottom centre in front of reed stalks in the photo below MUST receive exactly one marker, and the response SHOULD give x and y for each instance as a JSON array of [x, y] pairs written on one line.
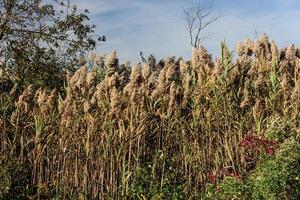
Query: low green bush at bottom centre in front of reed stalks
[[159, 181]]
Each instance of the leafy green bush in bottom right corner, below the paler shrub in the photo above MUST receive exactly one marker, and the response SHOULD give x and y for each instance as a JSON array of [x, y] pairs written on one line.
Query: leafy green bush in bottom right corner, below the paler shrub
[[278, 177]]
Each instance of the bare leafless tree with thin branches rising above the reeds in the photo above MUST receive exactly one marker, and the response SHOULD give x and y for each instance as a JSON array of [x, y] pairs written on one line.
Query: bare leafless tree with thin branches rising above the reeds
[[198, 18]]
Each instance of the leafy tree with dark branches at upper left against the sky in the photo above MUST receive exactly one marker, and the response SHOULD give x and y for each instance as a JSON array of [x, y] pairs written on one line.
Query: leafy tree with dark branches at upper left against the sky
[[39, 40]]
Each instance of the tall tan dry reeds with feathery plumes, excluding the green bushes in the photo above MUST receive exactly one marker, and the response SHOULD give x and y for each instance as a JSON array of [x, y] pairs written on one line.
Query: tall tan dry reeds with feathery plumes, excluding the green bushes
[[95, 137]]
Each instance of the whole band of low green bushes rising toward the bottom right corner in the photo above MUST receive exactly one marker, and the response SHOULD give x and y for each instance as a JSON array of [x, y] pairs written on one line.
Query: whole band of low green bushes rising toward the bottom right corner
[[276, 177]]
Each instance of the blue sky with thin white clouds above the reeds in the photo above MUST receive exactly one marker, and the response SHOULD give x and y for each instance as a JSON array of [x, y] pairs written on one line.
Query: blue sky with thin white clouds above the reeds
[[158, 27]]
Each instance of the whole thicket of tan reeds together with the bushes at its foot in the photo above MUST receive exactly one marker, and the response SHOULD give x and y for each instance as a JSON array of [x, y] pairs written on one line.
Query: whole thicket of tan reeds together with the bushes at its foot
[[202, 129]]
